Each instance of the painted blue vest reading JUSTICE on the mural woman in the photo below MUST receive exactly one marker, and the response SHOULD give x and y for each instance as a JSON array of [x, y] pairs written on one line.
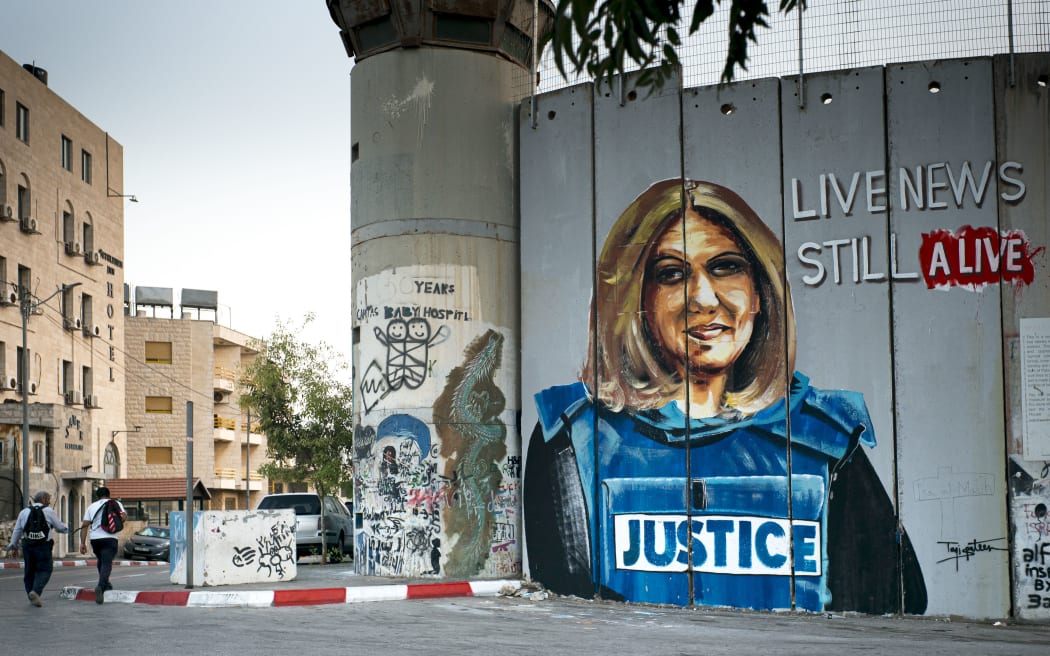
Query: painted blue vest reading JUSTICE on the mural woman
[[730, 510]]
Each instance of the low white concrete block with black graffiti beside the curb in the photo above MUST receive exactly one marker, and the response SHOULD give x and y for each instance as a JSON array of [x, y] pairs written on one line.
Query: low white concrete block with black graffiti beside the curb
[[236, 547]]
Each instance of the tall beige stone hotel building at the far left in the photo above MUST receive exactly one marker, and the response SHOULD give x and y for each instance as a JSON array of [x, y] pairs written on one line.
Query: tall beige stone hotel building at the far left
[[61, 270]]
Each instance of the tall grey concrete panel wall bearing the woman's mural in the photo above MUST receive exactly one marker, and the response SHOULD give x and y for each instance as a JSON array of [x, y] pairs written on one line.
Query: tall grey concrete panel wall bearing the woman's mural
[[787, 348]]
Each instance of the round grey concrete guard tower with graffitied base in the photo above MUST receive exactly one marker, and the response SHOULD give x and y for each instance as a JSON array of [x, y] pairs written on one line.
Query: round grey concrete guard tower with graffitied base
[[435, 273]]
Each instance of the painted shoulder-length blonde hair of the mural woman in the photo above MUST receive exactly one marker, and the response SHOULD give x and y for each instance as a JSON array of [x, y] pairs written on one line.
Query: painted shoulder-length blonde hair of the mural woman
[[623, 357]]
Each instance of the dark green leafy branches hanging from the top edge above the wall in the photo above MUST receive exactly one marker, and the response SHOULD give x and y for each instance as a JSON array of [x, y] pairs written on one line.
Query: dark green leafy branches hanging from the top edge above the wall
[[601, 38]]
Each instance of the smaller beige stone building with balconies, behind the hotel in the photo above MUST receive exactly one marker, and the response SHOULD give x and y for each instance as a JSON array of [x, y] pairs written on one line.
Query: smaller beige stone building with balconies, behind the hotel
[[173, 362]]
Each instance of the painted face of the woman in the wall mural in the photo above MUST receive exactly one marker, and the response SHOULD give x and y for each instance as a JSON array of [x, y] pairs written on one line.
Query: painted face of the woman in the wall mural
[[700, 297]]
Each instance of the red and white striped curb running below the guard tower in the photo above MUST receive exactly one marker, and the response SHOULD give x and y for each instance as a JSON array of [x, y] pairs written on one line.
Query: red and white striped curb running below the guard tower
[[313, 597]]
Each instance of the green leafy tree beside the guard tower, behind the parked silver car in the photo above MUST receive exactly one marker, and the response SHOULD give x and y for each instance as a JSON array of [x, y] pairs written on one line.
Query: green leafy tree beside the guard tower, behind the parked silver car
[[295, 391]]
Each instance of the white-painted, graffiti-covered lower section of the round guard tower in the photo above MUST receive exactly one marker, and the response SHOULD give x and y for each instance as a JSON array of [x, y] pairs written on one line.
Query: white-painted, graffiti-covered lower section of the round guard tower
[[436, 490]]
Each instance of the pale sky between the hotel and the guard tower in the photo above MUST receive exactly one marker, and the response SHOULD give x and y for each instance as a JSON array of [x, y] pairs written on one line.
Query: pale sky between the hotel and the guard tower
[[235, 118]]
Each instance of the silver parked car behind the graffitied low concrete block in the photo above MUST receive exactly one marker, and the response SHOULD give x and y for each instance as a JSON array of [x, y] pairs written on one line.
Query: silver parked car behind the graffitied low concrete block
[[339, 523]]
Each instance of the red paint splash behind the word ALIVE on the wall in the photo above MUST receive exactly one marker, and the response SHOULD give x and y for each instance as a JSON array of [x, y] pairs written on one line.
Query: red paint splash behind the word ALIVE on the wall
[[974, 258]]
